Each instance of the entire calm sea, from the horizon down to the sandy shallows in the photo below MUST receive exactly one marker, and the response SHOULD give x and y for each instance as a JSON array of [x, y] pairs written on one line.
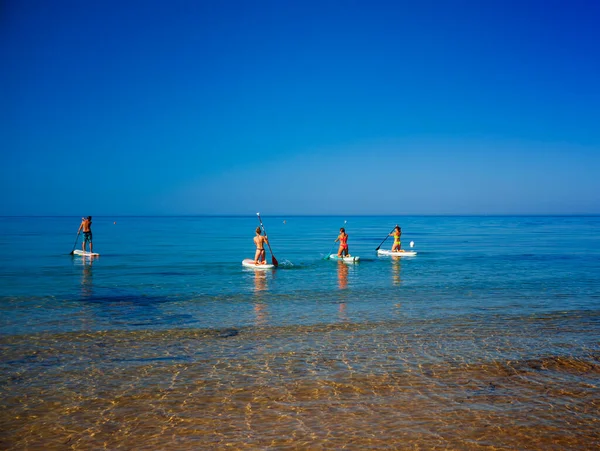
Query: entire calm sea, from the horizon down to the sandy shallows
[[487, 339]]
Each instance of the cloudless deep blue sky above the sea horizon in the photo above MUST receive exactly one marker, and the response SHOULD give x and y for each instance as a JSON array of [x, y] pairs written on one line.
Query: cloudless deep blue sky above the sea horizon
[[299, 107]]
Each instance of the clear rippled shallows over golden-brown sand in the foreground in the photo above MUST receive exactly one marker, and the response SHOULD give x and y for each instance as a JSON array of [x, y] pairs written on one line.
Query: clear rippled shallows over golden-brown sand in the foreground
[[390, 385]]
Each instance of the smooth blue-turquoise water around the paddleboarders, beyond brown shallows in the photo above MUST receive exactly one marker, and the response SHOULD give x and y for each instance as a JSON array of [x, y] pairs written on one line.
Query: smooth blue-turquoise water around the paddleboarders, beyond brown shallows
[[186, 272]]
